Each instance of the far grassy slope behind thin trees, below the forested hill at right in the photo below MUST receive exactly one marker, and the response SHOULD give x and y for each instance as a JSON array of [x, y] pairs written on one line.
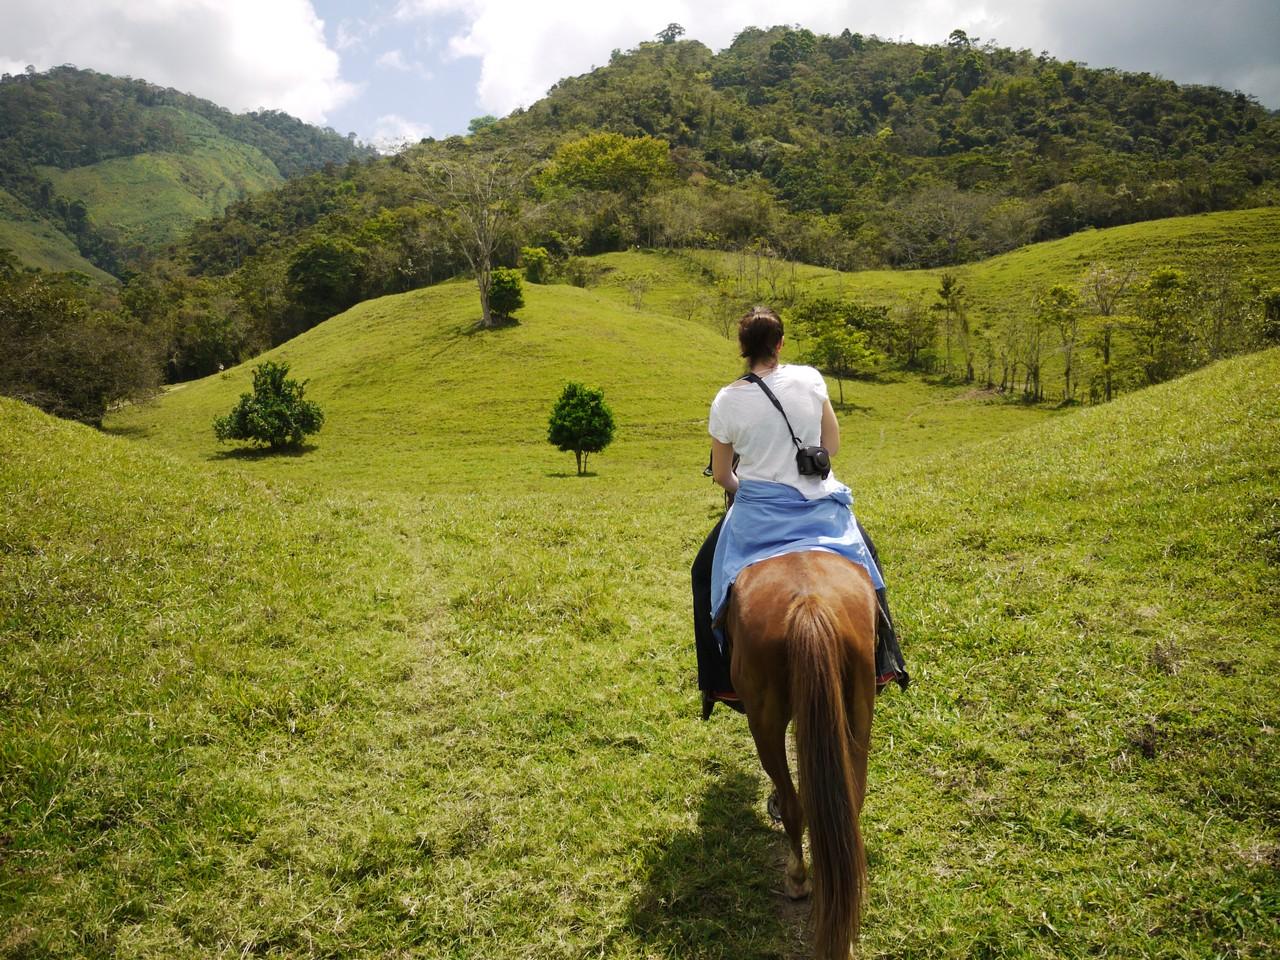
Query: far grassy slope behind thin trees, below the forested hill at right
[[995, 291]]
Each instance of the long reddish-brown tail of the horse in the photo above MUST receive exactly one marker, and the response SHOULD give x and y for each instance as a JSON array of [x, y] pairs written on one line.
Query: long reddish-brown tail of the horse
[[828, 781]]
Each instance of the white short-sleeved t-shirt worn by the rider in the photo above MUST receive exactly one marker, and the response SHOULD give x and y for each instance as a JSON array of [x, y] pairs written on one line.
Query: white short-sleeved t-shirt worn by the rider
[[744, 418]]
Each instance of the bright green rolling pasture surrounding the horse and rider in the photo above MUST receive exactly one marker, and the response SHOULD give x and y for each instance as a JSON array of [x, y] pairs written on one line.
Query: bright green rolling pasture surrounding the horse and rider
[[419, 691]]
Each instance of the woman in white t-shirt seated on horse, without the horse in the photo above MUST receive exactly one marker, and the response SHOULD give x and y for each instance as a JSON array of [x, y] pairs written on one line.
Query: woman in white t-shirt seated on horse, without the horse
[[744, 424]]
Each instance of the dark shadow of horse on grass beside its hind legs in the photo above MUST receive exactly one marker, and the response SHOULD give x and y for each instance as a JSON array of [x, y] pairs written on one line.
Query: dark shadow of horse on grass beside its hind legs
[[715, 892]]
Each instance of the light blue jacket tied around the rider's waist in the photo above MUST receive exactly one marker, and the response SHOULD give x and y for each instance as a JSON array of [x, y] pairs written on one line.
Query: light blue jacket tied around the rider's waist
[[769, 520]]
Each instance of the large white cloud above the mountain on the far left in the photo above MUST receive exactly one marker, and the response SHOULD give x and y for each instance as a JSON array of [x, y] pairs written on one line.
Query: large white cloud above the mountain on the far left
[[241, 54]]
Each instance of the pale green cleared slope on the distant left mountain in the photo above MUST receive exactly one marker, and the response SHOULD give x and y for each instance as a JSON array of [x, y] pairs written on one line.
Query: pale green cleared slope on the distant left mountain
[[154, 198]]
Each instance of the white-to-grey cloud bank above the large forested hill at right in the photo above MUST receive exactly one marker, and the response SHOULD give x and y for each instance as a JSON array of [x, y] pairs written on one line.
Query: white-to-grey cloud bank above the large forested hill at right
[[524, 48]]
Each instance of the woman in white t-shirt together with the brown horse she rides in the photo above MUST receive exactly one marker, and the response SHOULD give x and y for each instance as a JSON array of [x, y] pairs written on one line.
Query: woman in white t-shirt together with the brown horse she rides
[[798, 636]]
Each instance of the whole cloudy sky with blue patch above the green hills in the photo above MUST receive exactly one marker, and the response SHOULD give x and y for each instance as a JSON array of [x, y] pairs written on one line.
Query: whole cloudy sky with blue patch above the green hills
[[395, 71]]
